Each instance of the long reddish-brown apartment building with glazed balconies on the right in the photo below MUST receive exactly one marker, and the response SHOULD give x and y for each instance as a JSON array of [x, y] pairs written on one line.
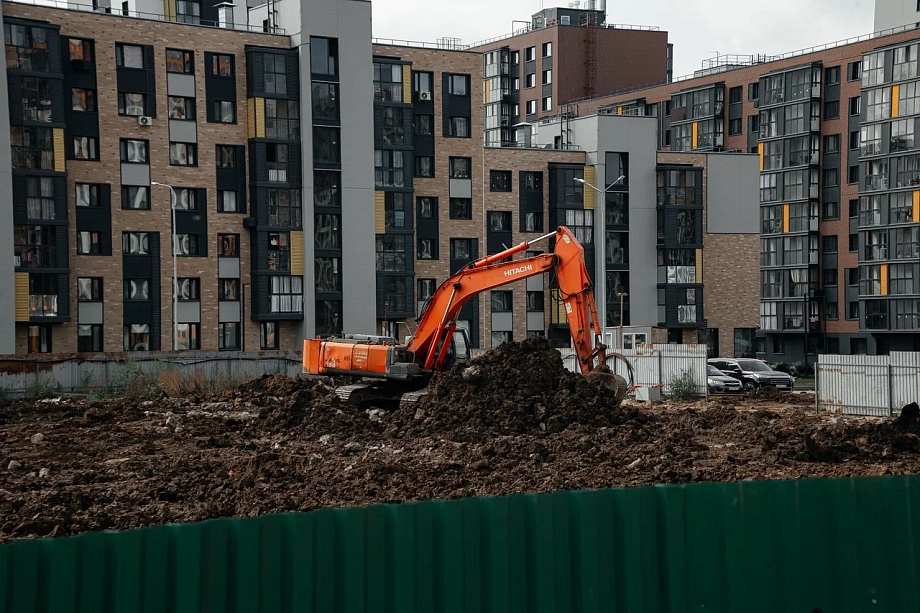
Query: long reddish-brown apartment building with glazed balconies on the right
[[805, 115]]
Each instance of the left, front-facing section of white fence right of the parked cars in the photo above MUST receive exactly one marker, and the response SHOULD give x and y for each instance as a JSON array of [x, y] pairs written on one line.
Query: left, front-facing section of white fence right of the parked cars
[[854, 384]]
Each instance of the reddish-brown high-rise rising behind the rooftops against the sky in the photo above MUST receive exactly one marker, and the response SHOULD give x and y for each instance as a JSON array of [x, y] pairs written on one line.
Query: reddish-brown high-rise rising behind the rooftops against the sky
[[563, 55]]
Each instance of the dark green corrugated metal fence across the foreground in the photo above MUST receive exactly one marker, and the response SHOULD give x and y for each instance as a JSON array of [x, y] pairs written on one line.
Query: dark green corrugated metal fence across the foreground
[[823, 546]]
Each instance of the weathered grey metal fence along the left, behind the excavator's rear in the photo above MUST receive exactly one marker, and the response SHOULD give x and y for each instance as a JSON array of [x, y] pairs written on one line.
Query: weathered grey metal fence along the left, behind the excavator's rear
[[33, 376]]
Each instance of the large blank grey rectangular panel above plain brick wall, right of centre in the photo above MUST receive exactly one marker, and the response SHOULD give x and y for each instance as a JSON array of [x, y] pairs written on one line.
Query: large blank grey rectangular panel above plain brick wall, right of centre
[[733, 197]]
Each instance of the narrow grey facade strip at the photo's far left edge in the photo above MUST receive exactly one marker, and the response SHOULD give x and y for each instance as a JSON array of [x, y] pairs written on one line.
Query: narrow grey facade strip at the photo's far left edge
[[7, 277]]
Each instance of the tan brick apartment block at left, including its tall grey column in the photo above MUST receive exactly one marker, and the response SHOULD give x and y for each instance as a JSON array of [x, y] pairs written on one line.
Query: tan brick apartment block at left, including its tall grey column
[[113, 119]]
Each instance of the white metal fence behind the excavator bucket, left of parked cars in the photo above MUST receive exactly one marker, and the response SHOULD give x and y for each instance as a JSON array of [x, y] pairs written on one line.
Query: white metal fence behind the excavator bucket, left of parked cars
[[657, 365]]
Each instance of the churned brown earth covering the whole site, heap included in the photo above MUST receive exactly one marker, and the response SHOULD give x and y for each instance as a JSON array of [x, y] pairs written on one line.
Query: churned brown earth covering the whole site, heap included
[[513, 421]]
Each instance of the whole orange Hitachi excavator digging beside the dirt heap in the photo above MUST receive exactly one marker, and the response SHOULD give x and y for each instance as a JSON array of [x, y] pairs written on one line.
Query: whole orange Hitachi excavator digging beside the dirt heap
[[393, 373]]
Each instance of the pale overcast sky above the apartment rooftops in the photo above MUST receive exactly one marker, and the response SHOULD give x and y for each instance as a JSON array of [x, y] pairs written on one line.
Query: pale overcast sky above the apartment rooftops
[[697, 28]]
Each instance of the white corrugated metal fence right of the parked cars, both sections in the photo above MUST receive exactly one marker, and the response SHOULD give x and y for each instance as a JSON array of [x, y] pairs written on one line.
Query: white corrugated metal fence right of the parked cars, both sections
[[867, 385]]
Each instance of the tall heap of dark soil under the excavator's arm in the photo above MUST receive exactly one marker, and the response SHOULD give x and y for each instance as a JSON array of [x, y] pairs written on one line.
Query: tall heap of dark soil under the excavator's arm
[[518, 388]]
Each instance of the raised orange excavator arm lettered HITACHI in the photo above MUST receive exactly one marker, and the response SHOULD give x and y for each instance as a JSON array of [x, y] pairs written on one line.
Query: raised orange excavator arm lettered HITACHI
[[438, 323]]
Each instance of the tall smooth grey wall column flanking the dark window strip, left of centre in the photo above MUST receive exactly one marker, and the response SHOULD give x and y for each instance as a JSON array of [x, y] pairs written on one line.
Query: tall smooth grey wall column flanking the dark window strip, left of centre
[[350, 22]]
